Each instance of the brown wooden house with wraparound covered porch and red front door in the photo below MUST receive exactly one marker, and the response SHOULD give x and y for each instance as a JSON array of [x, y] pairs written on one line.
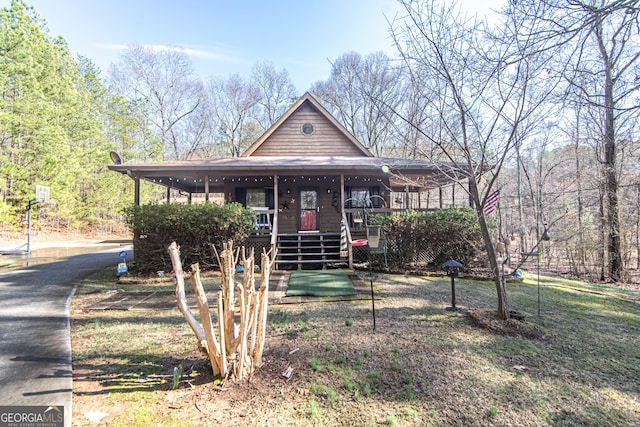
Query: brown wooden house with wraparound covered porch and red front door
[[307, 179]]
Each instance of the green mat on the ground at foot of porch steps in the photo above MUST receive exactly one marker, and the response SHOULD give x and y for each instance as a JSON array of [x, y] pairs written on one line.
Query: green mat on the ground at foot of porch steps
[[320, 283]]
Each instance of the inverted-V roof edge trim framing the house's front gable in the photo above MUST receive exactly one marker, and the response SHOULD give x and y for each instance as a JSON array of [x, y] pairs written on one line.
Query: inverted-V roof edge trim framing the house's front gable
[[307, 98]]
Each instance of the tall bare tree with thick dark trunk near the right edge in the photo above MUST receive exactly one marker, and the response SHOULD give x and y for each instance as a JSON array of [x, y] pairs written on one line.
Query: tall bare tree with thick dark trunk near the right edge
[[602, 37]]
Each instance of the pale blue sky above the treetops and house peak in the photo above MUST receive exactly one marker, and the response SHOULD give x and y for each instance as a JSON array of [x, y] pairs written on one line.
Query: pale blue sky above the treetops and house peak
[[224, 37]]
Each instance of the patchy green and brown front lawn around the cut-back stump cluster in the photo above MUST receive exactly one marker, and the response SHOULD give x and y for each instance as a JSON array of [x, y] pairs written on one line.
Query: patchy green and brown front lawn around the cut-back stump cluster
[[577, 364]]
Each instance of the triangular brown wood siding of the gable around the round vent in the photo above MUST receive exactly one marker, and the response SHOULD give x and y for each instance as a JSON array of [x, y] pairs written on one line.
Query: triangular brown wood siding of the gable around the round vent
[[326, 140]]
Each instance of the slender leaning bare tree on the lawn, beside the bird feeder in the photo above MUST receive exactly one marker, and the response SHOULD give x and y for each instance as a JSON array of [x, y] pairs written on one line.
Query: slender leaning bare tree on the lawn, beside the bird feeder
[[481, 86]]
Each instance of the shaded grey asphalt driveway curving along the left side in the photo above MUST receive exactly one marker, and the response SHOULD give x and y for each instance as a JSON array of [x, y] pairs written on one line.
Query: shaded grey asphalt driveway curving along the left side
[[35, 347]]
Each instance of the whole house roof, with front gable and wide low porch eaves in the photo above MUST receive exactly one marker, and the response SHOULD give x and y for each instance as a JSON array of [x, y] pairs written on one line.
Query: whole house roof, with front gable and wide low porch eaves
[[285, 150]]
